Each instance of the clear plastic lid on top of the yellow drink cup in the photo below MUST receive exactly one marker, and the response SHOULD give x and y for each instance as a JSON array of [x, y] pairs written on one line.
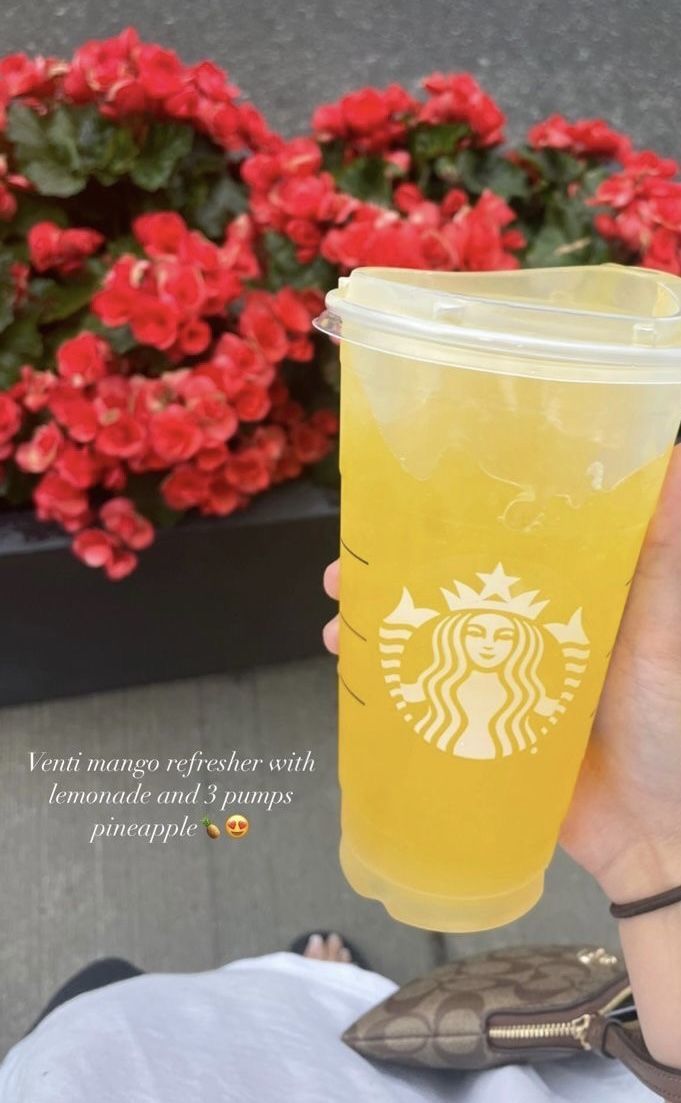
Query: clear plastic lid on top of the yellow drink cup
[[618, 323]]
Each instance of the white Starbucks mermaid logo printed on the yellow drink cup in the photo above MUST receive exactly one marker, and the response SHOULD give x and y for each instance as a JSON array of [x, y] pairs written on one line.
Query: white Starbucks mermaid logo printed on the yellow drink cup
[[481, 693]]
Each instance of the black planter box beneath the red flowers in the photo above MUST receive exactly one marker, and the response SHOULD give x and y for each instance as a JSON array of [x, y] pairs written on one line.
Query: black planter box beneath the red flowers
[[210, 596]]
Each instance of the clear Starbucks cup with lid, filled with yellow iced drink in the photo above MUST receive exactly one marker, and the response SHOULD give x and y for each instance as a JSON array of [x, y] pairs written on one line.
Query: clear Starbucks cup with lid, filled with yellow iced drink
[[504, 442]]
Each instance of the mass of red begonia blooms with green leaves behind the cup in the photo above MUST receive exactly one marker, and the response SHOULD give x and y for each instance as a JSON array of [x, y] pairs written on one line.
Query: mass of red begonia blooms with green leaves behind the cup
[[163, 254]]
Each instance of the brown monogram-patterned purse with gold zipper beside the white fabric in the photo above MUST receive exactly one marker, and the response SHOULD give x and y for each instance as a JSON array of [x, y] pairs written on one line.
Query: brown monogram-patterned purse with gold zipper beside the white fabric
[[527, 1004]]
